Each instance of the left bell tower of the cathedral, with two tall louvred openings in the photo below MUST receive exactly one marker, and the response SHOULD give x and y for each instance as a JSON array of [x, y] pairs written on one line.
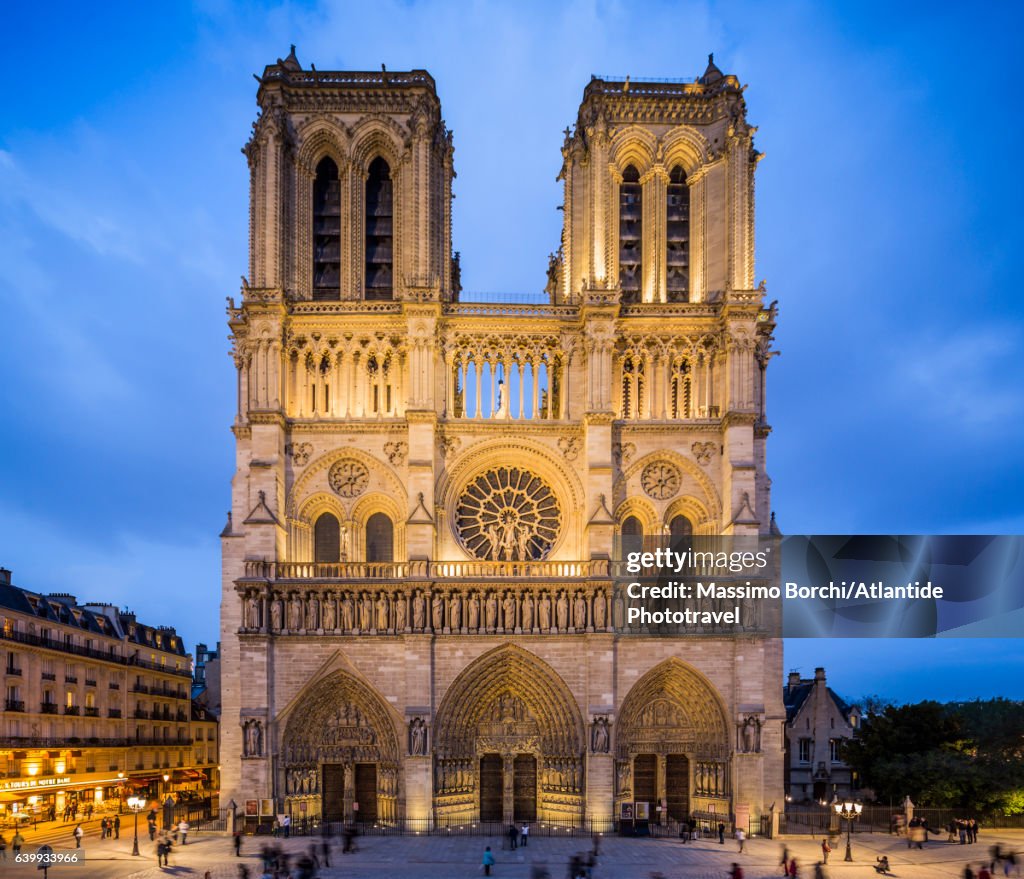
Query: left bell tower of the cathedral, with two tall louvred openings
[[351, 180]]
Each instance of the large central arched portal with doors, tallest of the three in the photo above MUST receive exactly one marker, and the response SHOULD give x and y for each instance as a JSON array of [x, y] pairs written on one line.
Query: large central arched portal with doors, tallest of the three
[[508, 743]]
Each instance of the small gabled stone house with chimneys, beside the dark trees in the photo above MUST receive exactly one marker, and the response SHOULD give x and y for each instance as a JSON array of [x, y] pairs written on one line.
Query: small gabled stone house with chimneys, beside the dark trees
[[817, 722]]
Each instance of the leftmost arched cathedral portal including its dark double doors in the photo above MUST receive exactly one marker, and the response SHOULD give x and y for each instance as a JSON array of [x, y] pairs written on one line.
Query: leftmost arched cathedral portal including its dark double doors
[[339, 755]]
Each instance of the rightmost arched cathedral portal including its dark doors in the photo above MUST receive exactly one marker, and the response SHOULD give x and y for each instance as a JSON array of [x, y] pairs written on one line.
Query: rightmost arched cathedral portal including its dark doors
[[673, 745]]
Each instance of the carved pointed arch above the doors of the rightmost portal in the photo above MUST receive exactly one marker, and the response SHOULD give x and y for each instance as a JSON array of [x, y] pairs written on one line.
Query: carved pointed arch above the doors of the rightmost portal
[[673, 709]]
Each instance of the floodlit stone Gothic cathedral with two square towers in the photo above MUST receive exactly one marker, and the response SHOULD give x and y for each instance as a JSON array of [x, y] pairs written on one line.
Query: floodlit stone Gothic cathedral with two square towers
[[417, 618]]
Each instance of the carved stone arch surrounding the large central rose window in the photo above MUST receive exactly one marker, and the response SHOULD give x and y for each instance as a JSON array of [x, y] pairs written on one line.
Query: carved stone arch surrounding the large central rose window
[[529, 455]]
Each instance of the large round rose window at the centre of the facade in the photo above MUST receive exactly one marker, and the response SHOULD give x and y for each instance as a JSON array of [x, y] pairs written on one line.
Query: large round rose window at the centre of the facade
[[509, 515]]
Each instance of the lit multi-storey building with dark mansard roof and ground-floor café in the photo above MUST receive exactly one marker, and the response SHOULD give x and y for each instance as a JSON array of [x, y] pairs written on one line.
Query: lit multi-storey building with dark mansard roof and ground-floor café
[[97, 704]]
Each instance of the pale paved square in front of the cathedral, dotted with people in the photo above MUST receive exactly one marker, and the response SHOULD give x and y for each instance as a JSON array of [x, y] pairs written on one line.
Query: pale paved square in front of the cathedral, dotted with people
[[412, 858]]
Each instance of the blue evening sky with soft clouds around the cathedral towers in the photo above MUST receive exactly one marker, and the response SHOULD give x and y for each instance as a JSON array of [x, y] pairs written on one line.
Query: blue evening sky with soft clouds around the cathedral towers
[[888, 220]]
